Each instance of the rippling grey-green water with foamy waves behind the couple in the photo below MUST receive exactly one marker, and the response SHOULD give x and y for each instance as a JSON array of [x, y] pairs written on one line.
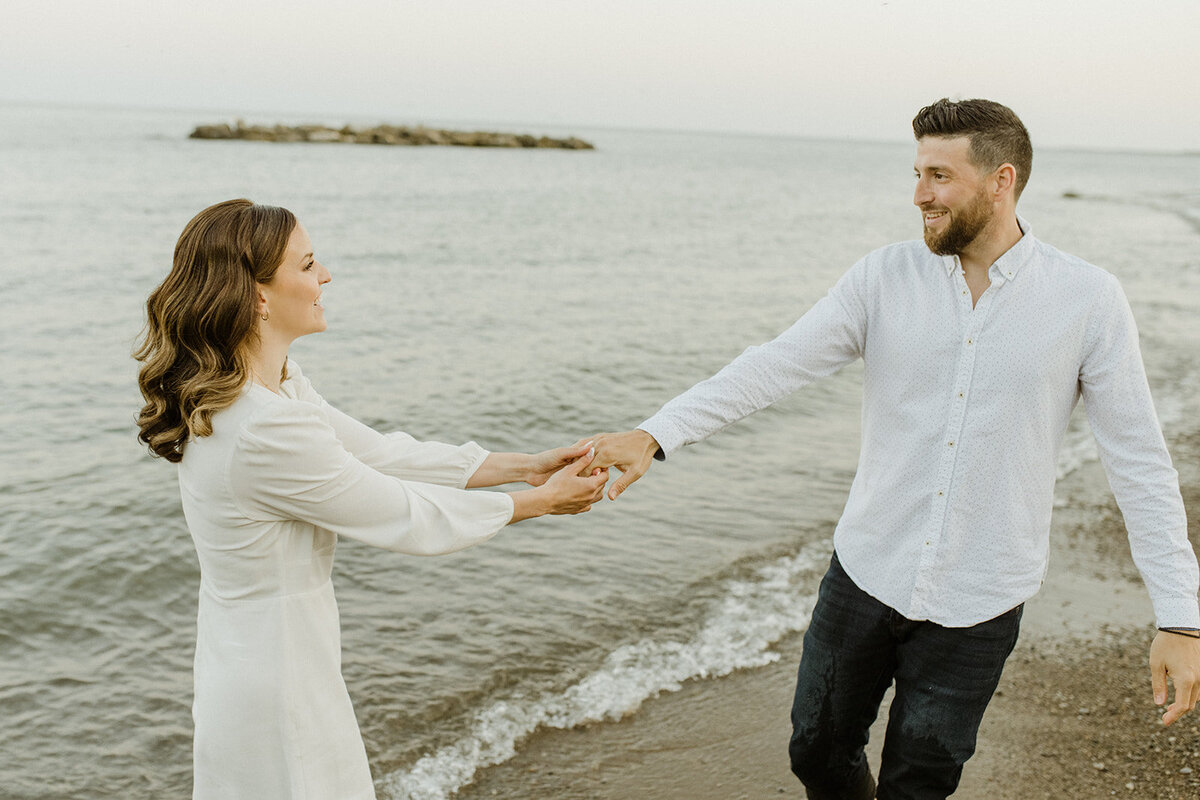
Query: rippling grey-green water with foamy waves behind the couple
[[523, 299]]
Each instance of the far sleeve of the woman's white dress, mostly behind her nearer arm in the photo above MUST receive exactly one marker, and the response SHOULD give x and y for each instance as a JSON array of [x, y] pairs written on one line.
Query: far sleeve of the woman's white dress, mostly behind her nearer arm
[[394, 454]]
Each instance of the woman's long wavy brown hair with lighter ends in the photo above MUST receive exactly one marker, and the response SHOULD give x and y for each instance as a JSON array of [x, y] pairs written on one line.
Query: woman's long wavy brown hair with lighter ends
[[201, 321]]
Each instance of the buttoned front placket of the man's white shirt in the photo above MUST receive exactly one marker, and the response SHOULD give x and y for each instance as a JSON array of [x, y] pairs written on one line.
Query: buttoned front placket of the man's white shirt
[[973, 321]]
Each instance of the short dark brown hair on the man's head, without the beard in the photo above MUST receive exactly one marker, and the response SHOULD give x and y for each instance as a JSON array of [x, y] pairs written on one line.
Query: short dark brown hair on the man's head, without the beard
[[998, 136]]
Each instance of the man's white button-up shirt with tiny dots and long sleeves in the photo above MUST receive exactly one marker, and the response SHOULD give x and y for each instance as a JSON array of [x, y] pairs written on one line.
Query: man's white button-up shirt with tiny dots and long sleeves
[[964, 412]]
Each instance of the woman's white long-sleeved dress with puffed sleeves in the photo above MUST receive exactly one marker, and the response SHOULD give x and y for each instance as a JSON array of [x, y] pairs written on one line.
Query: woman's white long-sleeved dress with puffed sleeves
[[266, 497]]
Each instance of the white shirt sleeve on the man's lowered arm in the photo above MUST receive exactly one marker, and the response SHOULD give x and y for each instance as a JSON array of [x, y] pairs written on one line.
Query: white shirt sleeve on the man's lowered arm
[[1121, 413]]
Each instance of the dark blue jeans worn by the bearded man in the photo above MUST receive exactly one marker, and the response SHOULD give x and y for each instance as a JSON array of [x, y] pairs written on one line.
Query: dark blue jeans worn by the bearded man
[[855, 648]]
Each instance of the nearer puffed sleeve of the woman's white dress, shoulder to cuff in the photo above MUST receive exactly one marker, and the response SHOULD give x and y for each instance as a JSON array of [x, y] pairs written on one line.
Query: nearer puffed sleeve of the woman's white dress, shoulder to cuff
[[290, 464]]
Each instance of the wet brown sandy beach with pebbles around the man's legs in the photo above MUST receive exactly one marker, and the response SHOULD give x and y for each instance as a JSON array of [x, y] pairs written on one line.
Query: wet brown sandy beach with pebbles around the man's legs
[[1073, 717]]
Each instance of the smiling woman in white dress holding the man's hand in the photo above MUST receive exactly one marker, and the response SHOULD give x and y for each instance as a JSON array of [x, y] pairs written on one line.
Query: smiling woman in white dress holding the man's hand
[[271, 476]]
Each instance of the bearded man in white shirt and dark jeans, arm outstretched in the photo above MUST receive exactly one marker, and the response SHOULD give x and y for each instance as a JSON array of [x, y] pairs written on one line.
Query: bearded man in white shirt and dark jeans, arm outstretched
[[977, 345]]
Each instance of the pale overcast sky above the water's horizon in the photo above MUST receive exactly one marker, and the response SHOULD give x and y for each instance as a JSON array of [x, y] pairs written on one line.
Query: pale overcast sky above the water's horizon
[[1093, 74]]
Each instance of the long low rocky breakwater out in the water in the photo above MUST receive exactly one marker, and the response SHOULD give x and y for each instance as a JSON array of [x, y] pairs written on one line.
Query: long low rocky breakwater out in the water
[[383, 135]]
